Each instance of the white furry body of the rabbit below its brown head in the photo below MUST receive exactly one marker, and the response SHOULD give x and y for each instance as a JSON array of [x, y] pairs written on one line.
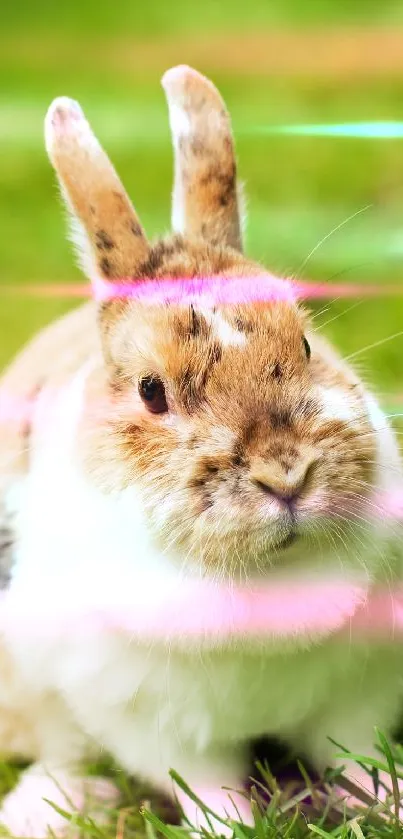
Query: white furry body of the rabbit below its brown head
[[174, 701]]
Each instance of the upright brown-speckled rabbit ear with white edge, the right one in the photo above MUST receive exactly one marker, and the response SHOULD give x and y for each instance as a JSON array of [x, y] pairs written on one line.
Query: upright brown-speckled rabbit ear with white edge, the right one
[[205, 200]]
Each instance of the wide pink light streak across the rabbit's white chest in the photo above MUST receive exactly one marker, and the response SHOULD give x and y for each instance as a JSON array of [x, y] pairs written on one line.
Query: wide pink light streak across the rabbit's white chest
[[200, 611]]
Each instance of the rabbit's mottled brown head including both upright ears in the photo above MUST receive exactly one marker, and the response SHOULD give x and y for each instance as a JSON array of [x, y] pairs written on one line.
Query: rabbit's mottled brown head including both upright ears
[[242, 431]]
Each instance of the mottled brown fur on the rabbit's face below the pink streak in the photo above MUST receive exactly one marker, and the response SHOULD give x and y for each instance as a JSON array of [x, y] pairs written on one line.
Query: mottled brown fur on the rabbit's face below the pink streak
[[278, 443]]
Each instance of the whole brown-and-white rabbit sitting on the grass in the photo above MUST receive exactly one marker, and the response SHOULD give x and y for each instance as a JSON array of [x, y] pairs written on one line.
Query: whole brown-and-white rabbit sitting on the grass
[[197, 525]]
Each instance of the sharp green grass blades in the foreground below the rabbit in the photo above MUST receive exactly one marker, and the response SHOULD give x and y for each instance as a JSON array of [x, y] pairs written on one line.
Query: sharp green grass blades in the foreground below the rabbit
[[298, 808]]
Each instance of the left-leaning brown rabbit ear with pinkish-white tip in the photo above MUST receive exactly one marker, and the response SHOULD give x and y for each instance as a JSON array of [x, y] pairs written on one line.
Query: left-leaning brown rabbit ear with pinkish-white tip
[[109, 237]]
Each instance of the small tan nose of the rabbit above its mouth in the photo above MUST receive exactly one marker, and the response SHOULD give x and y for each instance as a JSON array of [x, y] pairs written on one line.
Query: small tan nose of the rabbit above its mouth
[[283, 480]]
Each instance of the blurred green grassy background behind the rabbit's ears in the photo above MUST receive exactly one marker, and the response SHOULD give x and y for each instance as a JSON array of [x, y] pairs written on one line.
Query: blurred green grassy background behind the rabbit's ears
[[275, 62]]
